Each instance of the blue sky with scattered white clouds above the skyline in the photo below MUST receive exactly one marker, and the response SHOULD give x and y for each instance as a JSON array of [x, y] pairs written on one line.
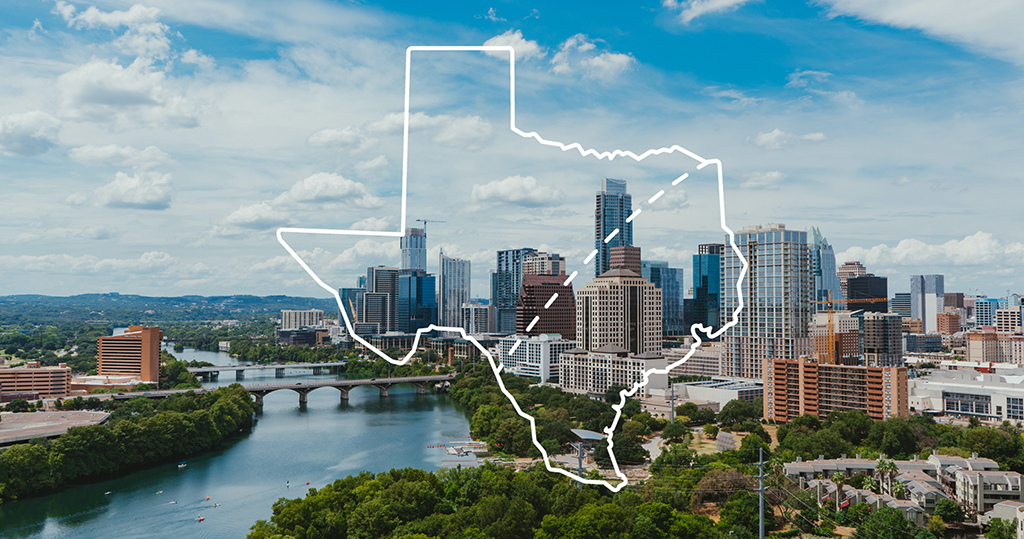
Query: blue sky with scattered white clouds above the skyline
[[155, 148]]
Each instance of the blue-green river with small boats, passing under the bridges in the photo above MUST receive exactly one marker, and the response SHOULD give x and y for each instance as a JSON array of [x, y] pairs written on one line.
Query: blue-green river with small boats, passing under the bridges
[[288, 447]]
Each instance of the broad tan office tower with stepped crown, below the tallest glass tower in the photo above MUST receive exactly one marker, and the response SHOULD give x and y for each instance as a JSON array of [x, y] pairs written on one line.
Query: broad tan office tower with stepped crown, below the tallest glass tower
[[622, 309]]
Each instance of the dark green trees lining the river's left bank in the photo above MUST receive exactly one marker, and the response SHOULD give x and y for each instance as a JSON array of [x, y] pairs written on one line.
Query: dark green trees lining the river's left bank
[[141, 433]]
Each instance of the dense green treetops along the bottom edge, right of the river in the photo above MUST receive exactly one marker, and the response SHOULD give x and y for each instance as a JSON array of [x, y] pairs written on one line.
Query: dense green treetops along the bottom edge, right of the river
[[490, 503]]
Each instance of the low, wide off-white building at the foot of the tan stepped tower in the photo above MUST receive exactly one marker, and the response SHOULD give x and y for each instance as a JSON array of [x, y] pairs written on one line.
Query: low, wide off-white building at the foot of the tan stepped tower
[[593, 372]]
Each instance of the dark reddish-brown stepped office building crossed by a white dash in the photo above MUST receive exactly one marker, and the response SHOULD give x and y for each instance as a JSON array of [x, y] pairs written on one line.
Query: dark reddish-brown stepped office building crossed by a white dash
[[557, 317]]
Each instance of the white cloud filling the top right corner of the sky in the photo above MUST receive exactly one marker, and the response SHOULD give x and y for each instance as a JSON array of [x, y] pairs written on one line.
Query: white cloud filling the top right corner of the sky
[[993, 26]]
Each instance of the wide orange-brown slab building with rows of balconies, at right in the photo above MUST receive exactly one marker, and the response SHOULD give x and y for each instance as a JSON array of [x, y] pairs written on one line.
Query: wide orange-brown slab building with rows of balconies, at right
[[794, 388]]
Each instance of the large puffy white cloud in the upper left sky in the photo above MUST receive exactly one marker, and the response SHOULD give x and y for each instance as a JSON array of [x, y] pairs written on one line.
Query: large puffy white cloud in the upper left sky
[[108, 93]]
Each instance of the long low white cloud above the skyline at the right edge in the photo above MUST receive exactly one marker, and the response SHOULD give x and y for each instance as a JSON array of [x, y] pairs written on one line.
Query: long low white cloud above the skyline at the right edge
[[979, 250]]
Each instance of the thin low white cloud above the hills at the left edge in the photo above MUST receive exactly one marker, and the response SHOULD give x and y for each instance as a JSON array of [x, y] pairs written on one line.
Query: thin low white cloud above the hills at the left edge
[[152, 262]]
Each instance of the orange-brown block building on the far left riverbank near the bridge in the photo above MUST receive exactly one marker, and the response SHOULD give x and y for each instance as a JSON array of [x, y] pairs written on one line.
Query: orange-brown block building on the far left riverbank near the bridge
[[136, 353]]
